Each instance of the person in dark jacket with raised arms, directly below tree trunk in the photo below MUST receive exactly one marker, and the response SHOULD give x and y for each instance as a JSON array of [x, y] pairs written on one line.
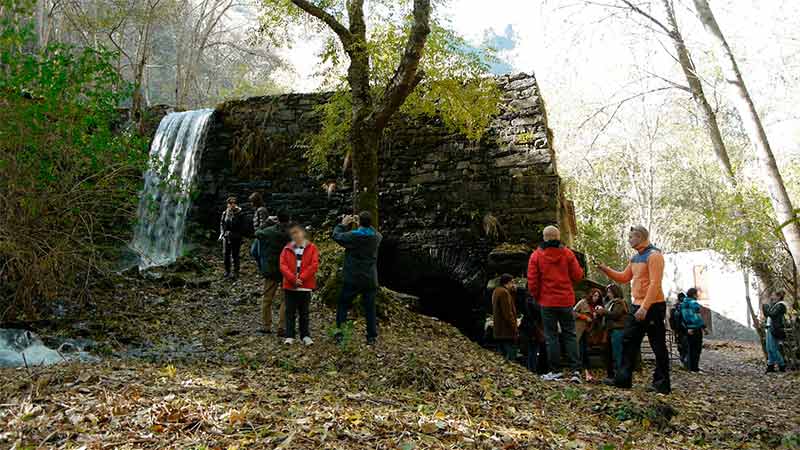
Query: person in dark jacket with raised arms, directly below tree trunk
[[360, 269]]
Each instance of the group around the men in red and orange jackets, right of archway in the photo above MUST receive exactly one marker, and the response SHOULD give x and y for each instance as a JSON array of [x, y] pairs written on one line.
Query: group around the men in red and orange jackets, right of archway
[[552, 271]]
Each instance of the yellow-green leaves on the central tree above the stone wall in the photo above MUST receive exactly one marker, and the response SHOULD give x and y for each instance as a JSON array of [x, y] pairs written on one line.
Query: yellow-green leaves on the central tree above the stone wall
[[456, 86]]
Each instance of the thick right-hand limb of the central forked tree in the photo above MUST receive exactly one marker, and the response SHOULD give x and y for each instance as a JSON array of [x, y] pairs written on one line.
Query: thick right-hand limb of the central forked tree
[[406, 76]]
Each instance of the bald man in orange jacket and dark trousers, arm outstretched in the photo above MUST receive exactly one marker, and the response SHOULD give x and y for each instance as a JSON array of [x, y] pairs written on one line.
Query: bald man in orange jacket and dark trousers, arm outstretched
[[648, 314]]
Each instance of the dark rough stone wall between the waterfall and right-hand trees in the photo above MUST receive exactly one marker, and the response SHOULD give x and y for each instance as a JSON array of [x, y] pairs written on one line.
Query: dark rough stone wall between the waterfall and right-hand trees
[[445, 202]]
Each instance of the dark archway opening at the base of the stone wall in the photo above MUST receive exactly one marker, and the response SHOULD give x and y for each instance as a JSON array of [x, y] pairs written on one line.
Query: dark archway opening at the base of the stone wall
[[440, 295]]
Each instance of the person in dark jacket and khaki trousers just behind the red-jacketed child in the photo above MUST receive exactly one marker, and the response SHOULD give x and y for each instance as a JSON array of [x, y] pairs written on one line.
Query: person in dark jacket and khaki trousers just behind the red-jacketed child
[[272, 240]]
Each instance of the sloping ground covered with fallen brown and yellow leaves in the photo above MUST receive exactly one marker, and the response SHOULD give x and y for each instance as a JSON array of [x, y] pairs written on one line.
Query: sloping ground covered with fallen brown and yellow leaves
[[185, 368]]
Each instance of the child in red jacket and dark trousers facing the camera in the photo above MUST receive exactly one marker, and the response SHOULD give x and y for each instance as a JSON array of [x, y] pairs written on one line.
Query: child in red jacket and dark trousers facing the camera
[[299, 264]]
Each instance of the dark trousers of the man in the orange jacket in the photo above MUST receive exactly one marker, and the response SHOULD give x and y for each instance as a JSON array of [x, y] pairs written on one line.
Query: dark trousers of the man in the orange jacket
[[653, 327]]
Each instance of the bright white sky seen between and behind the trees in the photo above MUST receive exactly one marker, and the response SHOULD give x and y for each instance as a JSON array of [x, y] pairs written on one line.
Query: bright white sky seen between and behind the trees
[[584, 58]]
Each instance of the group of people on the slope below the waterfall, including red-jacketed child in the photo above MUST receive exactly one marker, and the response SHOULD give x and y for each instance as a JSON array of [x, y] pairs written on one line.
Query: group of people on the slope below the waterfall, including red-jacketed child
[[288, 262]]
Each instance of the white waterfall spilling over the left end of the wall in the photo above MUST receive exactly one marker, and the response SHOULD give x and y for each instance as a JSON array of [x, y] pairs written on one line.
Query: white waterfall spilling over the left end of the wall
[[164, 202]]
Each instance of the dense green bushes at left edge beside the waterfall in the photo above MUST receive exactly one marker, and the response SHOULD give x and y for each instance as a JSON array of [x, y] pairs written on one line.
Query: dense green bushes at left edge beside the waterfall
[[69, 179]]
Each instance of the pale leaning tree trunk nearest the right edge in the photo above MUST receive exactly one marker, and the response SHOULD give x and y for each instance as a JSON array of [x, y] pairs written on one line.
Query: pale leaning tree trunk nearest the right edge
[[781, 203]]
